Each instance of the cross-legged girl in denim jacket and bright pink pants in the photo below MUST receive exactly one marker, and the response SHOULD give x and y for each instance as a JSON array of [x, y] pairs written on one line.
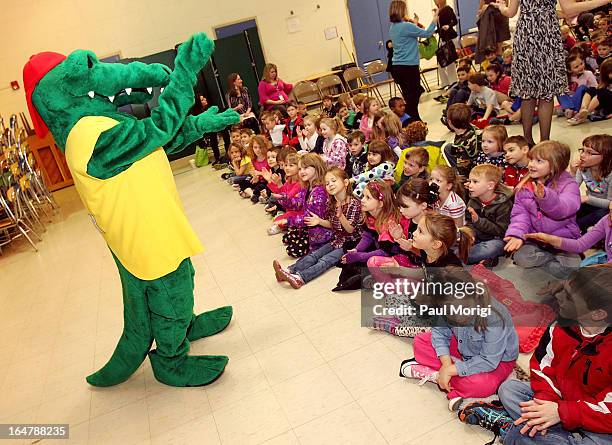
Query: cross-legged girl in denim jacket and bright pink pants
[[468, 356]]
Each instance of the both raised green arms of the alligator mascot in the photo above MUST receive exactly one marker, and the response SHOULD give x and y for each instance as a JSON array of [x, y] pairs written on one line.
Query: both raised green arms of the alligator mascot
[[133, 139]]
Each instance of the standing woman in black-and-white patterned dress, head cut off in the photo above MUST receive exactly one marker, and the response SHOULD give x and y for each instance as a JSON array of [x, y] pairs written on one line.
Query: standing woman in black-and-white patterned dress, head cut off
[[538, 66]]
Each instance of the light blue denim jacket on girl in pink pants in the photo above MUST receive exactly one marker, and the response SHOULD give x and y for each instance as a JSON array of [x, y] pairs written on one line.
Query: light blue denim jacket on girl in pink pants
[[481, 351]]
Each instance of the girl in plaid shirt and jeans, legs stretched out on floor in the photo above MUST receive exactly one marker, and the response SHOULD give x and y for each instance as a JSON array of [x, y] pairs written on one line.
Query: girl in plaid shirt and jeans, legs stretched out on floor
[[343, 217]]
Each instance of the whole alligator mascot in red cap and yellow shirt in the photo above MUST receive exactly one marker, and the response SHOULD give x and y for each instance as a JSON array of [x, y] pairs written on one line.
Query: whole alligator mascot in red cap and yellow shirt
[[123, 177]]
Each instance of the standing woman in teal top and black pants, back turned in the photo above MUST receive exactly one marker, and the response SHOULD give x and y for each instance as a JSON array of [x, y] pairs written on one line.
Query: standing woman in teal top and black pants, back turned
[[404, 34]]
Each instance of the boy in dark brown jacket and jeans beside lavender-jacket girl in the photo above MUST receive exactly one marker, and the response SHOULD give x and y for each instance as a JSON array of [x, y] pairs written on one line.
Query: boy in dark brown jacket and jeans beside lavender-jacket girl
[[488, 214]]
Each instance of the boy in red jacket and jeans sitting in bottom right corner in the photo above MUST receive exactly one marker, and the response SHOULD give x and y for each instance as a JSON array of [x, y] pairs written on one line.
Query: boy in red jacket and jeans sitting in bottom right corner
[[569, 400]]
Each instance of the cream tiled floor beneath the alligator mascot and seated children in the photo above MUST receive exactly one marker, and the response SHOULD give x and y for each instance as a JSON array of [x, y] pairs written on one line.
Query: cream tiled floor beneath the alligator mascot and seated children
[[301, 368]]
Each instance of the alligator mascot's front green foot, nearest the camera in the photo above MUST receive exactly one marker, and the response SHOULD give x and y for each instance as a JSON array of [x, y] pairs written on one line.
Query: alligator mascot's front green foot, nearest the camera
[[189, 370]]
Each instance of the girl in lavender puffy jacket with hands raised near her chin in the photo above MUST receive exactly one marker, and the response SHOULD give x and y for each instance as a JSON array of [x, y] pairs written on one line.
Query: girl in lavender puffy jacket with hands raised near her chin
[[547, 200]]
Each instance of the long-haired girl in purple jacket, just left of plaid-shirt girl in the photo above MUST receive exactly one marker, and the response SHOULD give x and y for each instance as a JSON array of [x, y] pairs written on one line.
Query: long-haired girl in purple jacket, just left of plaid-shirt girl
[[312, 198]]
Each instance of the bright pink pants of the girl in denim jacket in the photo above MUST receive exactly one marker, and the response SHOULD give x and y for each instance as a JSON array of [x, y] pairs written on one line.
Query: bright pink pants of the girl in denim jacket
[[476, 385]]
